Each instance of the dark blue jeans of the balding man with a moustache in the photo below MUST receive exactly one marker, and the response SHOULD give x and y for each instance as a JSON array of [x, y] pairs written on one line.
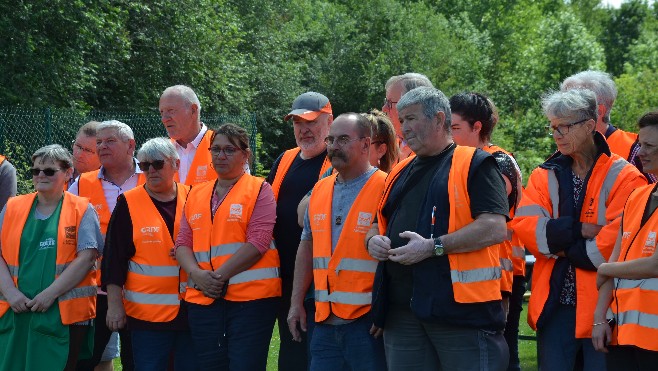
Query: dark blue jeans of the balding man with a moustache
[[347, 347]]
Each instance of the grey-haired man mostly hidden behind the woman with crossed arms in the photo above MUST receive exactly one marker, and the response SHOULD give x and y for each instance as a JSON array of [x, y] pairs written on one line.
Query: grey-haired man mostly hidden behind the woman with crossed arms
[[623, 143]]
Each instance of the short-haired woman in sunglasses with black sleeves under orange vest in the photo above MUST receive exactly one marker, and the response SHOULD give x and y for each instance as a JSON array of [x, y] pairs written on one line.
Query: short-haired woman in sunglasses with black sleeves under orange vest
[[142, 277]]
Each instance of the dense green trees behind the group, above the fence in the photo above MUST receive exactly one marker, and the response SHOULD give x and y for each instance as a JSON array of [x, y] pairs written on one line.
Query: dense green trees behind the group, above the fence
[[257, 56]]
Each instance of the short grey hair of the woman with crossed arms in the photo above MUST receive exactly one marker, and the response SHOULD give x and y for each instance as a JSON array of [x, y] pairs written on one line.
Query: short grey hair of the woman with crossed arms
[[579, 103]]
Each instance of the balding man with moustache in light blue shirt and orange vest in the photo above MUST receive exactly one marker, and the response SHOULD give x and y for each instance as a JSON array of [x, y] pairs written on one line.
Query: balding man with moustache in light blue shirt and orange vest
[[333, 256]]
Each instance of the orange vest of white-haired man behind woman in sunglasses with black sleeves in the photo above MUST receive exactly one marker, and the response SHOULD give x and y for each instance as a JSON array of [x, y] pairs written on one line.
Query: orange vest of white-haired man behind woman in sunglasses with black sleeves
[[91, 187]]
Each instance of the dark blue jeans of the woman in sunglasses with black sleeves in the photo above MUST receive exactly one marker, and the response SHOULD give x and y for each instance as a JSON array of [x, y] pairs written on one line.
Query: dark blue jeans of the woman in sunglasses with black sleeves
[[152, 349]]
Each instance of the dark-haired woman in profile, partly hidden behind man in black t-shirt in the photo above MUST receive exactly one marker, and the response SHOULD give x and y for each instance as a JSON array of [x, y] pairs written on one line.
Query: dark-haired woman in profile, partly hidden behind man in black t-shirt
[[474, 117]]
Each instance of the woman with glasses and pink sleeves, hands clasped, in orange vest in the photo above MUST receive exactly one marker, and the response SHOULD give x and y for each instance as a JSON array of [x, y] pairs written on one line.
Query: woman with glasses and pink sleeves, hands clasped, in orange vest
[[224, 245]]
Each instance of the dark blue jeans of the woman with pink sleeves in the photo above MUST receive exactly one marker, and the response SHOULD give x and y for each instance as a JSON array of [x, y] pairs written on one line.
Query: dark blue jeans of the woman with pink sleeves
[[232, 335]]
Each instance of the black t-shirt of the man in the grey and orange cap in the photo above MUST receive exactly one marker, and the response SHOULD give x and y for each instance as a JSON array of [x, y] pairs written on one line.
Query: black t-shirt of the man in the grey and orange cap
[[298, 181]]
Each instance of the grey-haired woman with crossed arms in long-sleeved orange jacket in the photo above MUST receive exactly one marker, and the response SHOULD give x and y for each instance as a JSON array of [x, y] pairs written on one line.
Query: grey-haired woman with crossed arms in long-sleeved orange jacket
[[568, 218]]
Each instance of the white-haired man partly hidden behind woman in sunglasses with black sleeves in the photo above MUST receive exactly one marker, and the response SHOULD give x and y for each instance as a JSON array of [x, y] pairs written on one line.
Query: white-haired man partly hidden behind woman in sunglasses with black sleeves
[[115, 145]]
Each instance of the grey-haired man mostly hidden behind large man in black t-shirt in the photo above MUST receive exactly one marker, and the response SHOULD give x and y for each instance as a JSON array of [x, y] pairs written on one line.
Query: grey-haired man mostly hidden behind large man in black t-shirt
[[396, 87]]
